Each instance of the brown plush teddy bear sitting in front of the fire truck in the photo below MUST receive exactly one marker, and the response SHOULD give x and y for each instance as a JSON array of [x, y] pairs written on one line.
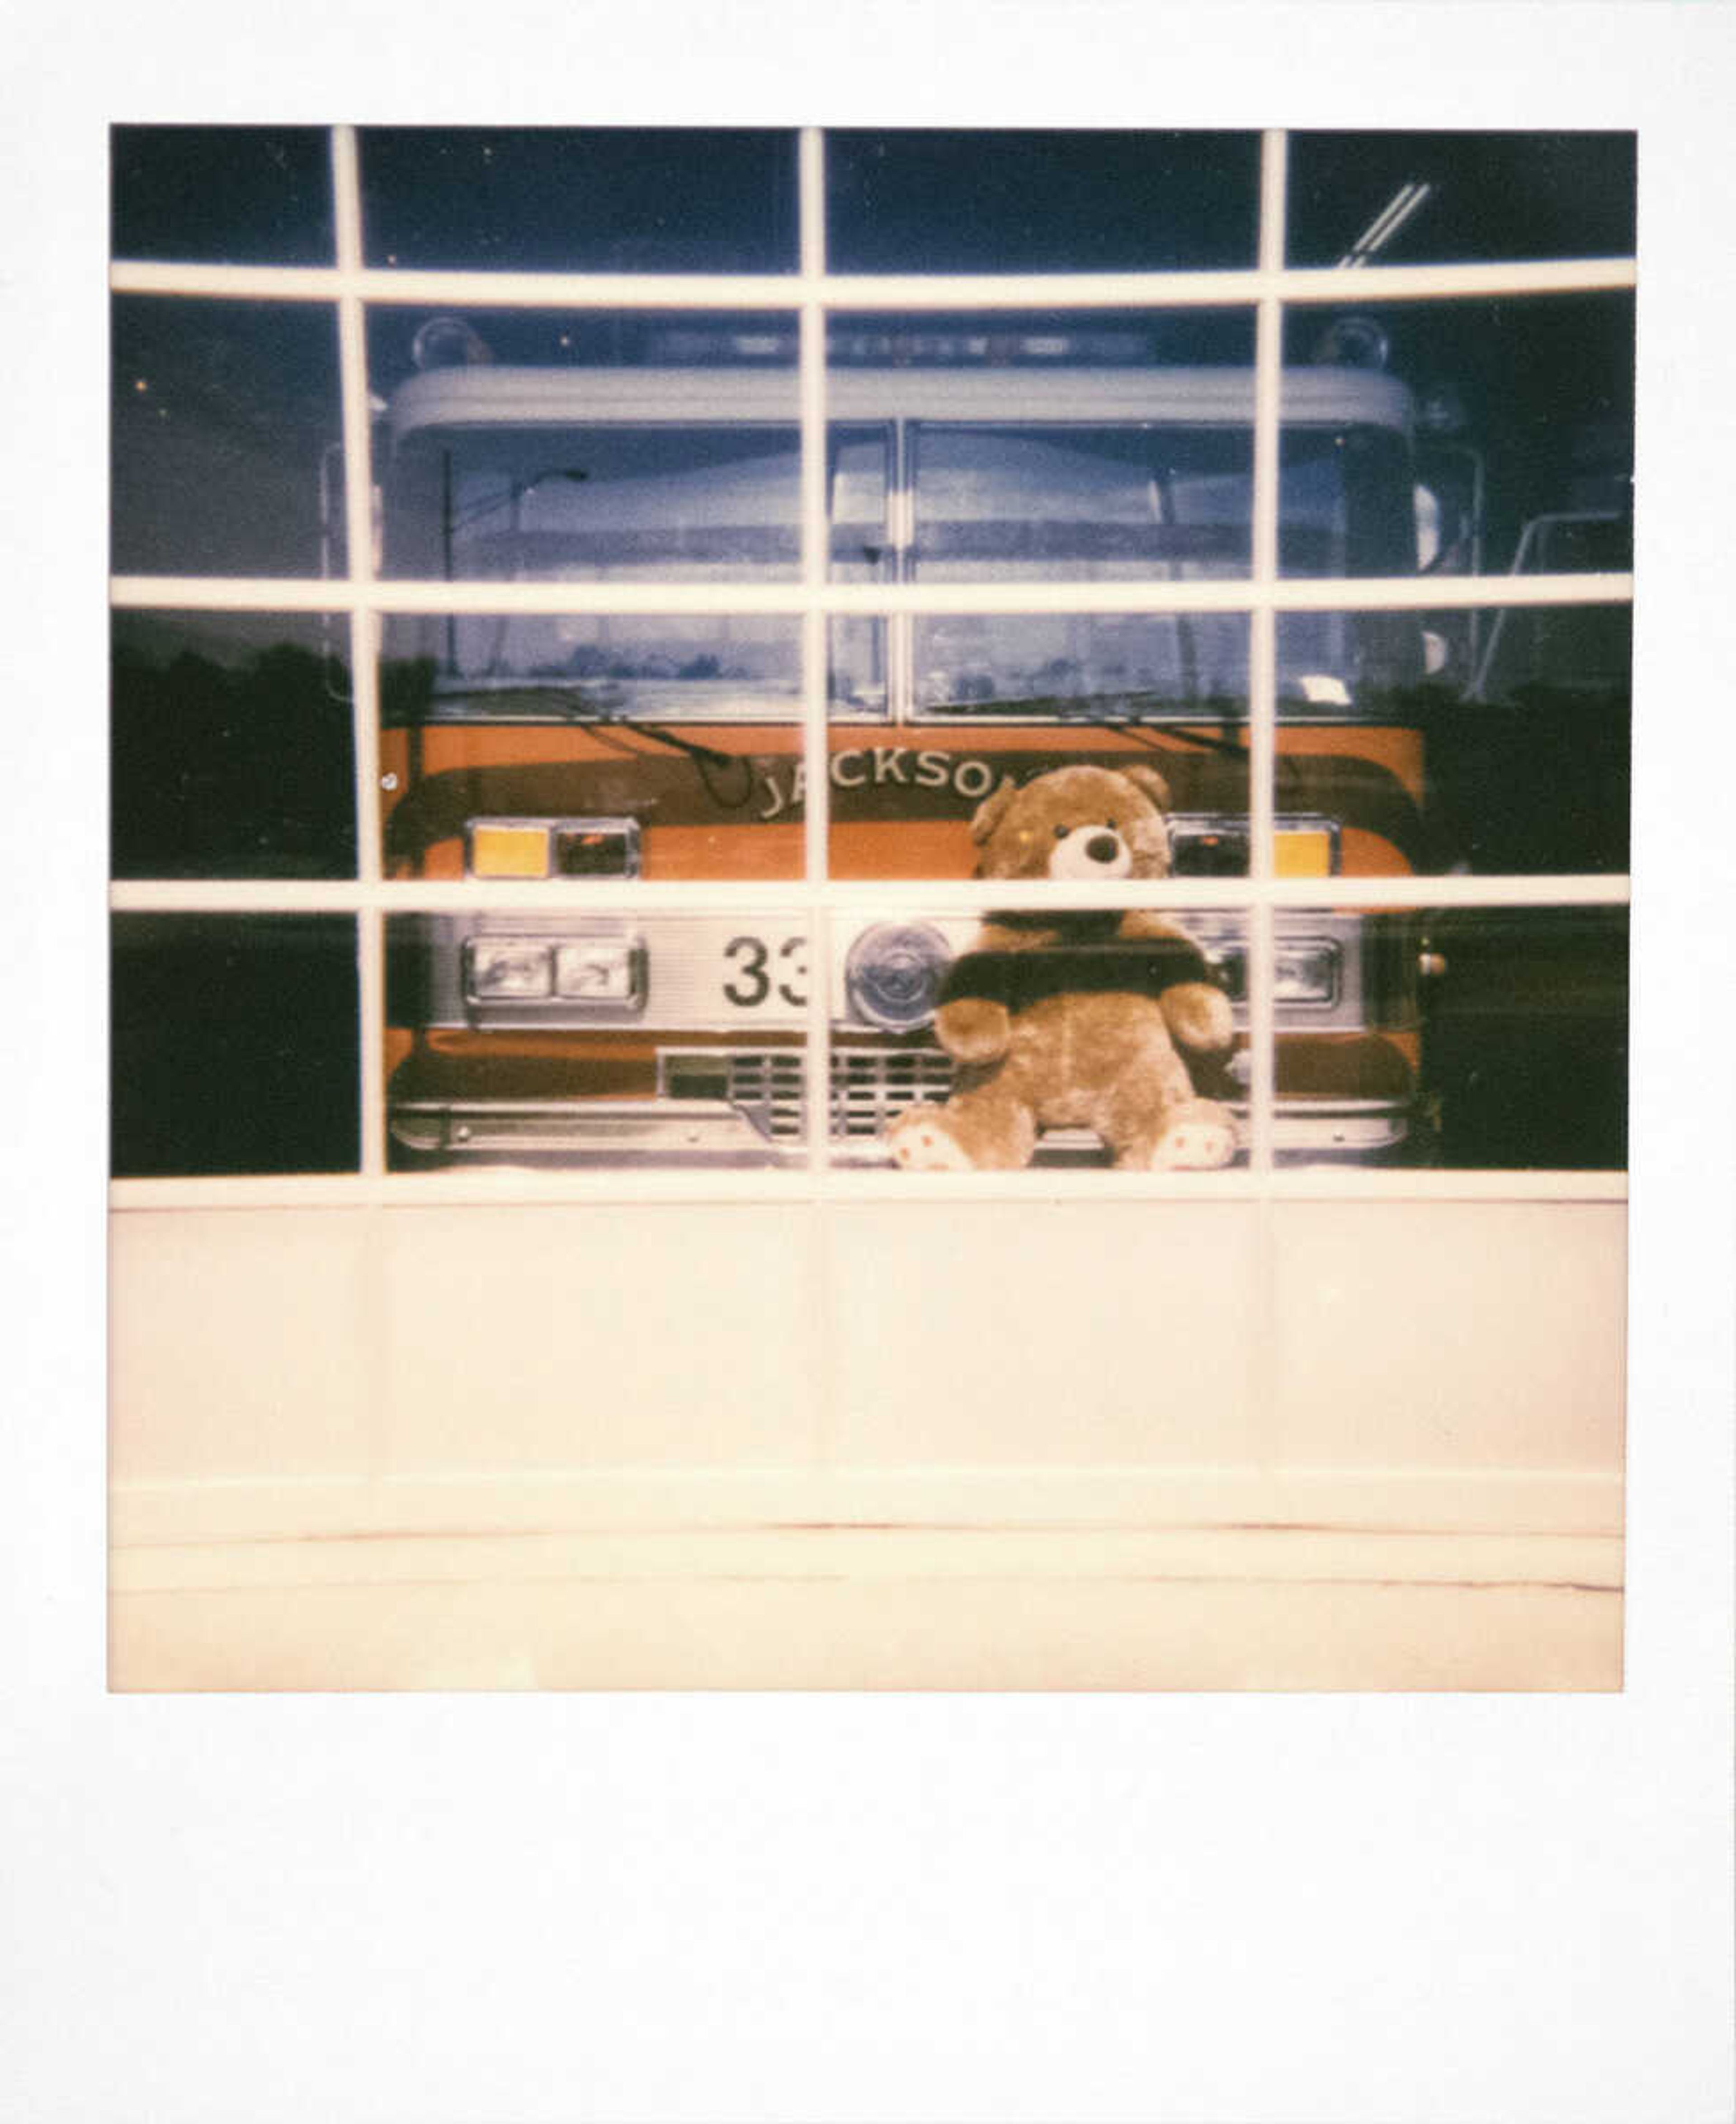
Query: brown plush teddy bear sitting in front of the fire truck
[[1075, 1018]]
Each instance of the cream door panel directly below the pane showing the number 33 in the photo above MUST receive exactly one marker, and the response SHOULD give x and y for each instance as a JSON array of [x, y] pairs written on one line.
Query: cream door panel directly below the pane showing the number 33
[[589, 1337]]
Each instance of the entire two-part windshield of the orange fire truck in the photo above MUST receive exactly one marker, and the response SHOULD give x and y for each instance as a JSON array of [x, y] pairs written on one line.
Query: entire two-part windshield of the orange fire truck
[[988, 502]]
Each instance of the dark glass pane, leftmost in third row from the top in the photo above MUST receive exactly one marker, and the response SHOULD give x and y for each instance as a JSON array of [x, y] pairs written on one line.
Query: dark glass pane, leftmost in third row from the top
[[230, 747]]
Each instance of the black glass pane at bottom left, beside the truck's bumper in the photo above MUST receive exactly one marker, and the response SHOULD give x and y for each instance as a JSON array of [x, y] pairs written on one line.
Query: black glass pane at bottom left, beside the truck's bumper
[[235, 1046]]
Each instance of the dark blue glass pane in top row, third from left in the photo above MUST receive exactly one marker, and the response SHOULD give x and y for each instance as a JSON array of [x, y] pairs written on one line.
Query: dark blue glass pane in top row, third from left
[[1041, 201]]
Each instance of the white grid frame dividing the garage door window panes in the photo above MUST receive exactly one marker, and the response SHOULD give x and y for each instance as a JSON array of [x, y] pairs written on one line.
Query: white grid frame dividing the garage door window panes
[[812, 294]]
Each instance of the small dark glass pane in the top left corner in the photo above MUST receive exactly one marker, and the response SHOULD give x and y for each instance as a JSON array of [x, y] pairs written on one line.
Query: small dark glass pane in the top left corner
[[222, 194]]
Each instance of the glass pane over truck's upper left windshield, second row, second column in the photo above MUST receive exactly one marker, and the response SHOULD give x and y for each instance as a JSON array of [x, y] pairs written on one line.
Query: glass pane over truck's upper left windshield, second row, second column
[[549, 447]]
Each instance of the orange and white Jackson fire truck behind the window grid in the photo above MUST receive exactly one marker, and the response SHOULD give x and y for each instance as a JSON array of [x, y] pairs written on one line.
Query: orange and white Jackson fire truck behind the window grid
[[595, 751]]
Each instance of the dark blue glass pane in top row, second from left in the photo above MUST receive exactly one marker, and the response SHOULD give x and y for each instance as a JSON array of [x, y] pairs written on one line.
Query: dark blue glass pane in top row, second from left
[[623, 199]]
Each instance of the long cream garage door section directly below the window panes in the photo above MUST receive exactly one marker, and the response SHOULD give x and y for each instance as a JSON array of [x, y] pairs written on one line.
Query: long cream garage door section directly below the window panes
[[892, 1343]]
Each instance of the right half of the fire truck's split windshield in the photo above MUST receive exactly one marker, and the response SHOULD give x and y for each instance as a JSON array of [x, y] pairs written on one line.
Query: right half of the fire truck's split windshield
[[1115, 504]]
